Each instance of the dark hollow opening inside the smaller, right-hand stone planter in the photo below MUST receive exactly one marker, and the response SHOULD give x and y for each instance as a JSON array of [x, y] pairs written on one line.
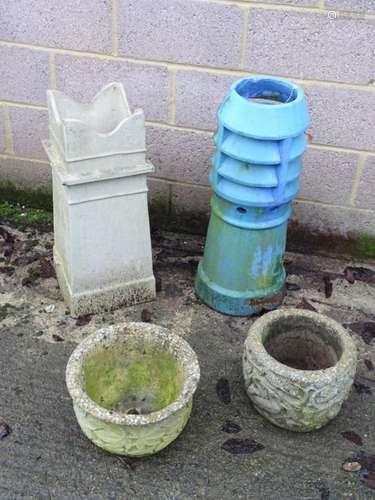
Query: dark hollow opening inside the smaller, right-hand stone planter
[[302, 344]]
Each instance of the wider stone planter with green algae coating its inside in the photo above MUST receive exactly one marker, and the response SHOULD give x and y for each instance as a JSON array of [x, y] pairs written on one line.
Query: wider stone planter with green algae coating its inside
[[132, 387]]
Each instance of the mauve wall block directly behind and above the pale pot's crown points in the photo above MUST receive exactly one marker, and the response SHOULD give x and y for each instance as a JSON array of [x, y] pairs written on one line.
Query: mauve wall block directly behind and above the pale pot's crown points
[[147, 86]]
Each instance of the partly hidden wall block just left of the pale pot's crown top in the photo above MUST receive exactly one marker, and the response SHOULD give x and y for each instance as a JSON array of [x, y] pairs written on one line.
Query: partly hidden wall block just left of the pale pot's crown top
[[29, 127]]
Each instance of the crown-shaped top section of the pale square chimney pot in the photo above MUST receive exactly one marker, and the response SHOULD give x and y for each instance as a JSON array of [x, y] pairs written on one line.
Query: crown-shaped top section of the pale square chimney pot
[[103, 127]]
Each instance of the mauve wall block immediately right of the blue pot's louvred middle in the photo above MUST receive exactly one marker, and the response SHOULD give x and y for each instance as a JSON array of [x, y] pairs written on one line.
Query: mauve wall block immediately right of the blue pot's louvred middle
[[328, 176]]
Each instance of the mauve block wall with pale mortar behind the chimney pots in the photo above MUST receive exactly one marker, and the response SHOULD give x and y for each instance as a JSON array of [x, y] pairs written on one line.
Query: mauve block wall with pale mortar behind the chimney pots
[[176, 59]]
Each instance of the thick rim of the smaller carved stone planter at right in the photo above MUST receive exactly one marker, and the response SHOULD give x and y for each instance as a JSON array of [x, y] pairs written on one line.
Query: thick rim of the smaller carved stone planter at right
[[254, 341]]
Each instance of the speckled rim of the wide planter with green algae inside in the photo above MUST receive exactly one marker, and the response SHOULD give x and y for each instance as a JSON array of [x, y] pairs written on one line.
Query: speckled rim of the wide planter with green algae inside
[[132, 329]]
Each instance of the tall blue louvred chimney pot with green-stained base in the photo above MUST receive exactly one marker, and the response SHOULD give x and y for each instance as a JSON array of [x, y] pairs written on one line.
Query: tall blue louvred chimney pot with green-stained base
[[255, 177]]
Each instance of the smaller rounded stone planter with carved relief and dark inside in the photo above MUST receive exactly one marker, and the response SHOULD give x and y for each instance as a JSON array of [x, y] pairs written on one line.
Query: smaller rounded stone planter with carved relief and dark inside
[[298, 368]]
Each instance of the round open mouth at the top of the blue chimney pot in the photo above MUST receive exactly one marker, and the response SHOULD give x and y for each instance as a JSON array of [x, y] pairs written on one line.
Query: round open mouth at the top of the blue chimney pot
[[267, 91]]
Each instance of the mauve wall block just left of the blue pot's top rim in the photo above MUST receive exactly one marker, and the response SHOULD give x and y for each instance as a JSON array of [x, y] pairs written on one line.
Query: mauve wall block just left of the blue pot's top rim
[[198, 96]]
